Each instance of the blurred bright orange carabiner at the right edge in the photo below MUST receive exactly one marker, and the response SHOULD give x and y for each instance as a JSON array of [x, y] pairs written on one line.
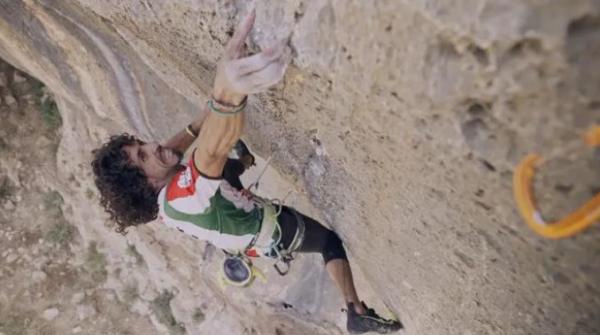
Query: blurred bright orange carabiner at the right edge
[[567, 226]]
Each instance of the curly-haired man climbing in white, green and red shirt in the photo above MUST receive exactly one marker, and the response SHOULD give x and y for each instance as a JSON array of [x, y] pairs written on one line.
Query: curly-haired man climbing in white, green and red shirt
[[199, 198]]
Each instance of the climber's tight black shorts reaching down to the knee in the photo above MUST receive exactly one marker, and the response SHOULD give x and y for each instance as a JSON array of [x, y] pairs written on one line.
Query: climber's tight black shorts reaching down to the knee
[[317, 238]]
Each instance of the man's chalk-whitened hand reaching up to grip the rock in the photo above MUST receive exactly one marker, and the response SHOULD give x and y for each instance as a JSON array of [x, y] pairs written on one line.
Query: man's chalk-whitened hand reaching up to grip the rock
[[237, 77]]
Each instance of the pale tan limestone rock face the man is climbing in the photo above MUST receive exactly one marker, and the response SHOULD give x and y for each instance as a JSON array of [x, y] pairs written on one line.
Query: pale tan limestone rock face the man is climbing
[[400, 121]]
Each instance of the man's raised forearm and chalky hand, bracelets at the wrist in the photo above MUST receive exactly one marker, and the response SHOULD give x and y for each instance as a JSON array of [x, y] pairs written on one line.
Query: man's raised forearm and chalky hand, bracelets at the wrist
[[236, 78]]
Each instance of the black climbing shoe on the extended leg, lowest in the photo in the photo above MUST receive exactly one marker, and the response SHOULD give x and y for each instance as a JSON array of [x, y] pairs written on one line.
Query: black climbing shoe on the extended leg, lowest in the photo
[[369, 322]]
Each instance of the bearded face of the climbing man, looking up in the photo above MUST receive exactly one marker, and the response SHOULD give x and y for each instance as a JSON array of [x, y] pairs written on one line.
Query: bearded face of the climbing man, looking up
[[158, 163]]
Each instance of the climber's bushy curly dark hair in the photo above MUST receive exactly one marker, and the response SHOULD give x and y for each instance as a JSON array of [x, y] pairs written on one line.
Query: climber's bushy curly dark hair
[[125, 192]]
